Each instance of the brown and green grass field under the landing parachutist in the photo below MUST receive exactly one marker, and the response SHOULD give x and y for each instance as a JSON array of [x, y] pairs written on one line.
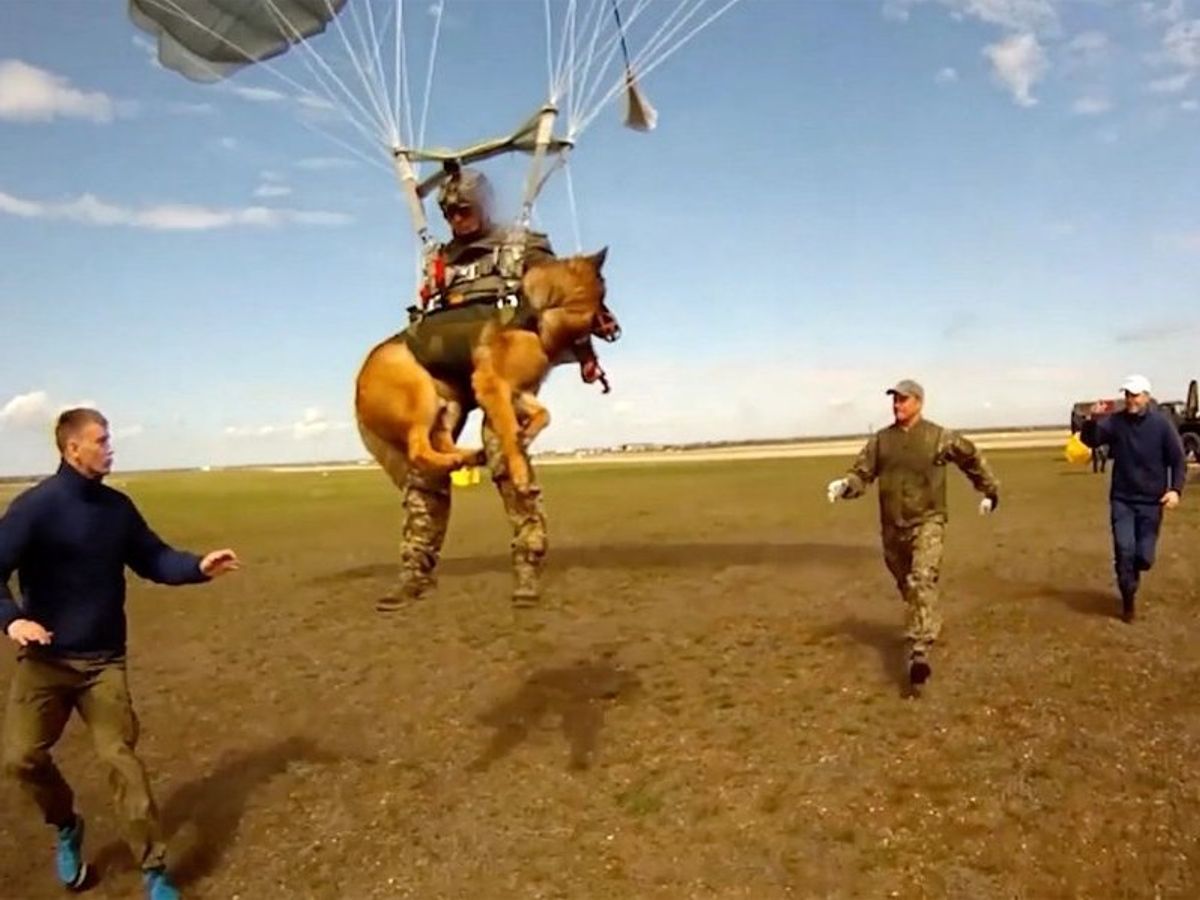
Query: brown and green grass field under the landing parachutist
[[710, 709]]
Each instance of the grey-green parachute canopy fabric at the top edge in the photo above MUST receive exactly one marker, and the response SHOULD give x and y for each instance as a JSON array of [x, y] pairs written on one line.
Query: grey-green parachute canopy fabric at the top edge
[[211, 40]]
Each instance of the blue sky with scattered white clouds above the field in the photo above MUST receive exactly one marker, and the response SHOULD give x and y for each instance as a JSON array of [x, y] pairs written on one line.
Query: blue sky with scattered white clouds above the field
[[997, 197]]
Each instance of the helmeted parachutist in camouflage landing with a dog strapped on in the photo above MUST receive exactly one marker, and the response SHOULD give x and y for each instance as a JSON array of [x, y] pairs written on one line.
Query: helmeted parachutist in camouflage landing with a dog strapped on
[[478, 266]]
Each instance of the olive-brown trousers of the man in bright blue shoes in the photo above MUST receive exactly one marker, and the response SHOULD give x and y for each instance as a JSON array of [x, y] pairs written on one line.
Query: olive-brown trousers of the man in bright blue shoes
[[44, 694]]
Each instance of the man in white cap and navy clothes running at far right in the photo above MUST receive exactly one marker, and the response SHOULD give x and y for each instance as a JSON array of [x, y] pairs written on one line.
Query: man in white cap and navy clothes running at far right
[[1149, 473]]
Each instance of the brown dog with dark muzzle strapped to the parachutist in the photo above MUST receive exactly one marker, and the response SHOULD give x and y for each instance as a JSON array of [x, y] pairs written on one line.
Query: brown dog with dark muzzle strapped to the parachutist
[[399, 403]]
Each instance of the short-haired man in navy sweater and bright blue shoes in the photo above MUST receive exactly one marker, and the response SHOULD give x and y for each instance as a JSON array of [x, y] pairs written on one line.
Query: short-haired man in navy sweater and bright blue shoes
[[70, 539]]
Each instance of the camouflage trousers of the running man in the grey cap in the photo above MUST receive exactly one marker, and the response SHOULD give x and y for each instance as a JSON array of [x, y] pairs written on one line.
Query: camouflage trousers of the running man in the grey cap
[[914, 556]]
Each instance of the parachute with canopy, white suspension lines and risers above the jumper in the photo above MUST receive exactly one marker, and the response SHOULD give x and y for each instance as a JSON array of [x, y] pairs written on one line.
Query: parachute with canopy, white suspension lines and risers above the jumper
[[596, 52]]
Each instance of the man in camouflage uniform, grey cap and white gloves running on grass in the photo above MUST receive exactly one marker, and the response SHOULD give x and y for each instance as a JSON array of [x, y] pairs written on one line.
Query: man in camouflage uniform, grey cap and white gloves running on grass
[[909, 458]]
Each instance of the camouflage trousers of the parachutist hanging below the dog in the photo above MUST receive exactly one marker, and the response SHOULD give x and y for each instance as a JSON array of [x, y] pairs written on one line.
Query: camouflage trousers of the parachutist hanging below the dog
[[428, 517]]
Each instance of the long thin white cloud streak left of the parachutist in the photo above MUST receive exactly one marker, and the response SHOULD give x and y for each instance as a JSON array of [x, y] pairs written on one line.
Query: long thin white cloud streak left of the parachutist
[[91, 211]]
